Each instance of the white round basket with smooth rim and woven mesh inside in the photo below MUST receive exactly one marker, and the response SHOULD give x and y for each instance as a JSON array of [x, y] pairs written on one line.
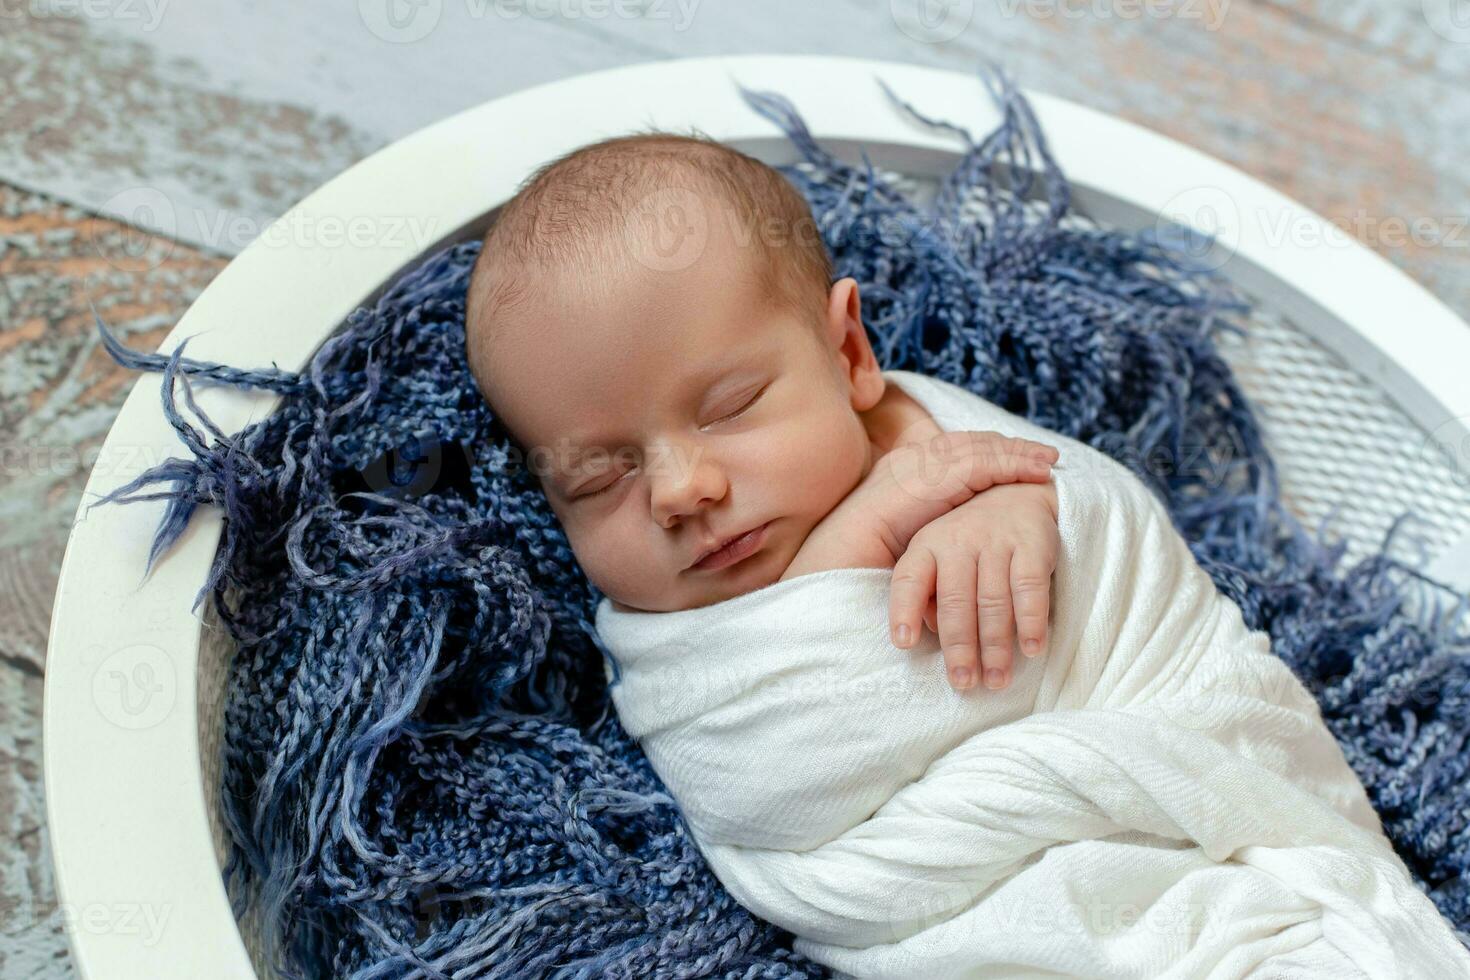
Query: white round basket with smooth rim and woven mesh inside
[[1358, 372]]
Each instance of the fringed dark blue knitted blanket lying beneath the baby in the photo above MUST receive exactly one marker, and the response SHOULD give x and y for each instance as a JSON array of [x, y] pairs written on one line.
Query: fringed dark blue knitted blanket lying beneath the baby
[[423, 775]]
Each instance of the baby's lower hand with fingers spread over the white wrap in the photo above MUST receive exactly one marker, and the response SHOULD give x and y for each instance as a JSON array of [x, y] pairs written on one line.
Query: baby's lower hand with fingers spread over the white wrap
[[989, 559]]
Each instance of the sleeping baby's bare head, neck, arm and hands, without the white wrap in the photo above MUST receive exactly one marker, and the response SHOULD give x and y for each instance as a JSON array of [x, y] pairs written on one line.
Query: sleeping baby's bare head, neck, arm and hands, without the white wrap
[[718, 402]]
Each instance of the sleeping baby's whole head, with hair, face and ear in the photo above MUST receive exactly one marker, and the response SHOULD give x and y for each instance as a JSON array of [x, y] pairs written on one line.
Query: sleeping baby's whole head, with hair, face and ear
[[653, 321]]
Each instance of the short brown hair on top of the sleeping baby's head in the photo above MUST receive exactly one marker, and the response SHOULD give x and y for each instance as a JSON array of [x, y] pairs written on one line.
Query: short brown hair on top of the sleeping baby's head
[[571, 212]]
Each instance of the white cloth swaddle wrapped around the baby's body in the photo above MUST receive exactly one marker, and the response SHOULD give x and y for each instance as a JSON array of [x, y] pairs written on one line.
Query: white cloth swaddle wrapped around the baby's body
[[1156, 796]]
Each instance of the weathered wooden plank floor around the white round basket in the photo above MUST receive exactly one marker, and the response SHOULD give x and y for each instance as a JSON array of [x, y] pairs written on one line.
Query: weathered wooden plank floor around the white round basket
[[201, 124]]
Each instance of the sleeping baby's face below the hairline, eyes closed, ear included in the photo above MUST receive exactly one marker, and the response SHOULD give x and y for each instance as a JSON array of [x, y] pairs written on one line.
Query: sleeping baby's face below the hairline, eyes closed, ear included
[[668, 412]]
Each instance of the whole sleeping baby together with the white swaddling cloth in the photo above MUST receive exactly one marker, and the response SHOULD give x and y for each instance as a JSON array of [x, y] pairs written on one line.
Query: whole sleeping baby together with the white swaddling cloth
[[1147, 791]]
